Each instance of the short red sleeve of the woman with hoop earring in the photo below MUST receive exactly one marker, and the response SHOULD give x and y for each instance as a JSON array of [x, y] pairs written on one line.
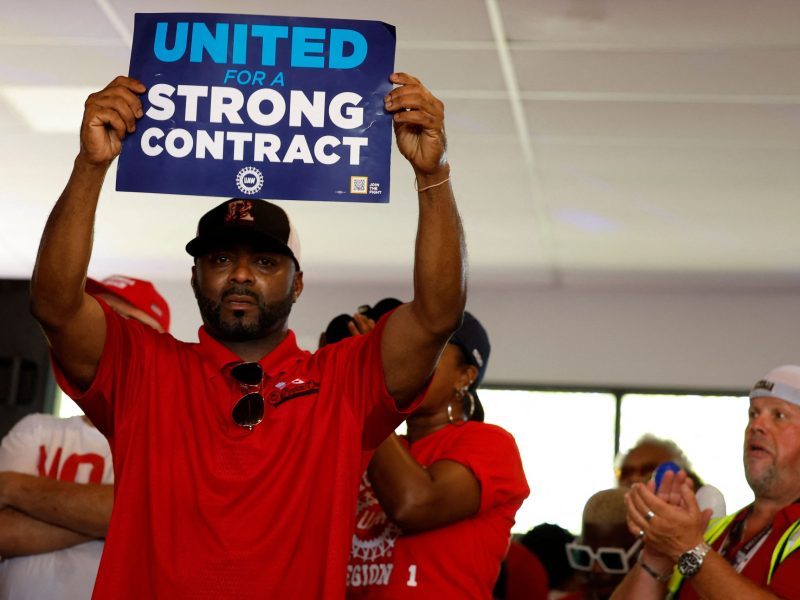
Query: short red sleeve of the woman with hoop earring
[[491, 453]]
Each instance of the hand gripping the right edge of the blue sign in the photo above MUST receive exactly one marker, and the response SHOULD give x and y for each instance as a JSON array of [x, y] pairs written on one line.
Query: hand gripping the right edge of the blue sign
[[418, 123]]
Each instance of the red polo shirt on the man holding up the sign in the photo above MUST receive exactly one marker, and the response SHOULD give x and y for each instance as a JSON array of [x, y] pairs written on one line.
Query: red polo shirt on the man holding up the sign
[[207, 509]]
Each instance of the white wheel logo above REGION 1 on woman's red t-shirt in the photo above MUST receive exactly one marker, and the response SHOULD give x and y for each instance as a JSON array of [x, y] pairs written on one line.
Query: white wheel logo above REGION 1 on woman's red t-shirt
[[375, 534]]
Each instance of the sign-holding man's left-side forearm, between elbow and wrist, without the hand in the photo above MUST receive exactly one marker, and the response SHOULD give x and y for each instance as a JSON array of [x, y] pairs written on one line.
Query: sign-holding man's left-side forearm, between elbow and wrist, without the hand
[[65, 247]]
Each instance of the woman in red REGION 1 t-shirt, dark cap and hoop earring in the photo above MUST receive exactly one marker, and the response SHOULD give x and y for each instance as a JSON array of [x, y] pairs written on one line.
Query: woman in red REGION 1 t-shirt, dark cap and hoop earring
[[436, 507]]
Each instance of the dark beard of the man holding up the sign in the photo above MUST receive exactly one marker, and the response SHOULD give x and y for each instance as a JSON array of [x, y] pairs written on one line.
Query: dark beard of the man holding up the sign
[[270, 316]]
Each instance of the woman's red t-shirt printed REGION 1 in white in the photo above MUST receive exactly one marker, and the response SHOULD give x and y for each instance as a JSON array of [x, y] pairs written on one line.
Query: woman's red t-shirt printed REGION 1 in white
[[461, 560]]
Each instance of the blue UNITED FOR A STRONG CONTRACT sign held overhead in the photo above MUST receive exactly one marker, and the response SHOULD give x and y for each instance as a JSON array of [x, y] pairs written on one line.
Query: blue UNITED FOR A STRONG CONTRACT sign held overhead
[[265, 107]]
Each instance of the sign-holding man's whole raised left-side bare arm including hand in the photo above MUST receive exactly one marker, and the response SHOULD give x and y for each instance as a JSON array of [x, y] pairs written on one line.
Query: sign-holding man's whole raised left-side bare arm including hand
[[72, 320]]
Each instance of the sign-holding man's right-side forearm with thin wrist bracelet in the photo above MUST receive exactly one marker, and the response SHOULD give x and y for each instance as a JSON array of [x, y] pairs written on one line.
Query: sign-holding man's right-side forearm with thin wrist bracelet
[[440, 256]]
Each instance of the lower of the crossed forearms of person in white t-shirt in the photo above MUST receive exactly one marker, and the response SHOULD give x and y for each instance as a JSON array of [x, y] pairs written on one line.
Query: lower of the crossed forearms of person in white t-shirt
[[21, 535]]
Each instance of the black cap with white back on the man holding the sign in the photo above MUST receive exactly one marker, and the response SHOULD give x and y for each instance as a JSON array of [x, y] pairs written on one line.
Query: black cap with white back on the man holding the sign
[[247, 220]]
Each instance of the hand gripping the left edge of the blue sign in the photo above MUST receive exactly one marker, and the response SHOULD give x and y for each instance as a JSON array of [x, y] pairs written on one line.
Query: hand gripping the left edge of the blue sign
[[109, 115]]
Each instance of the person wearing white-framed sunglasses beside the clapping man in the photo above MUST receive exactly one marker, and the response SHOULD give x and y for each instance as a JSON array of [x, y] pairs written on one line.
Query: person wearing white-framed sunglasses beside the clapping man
[[606, 550]]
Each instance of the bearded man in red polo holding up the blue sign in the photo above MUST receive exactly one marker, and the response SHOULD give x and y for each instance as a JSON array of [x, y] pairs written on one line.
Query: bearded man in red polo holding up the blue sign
[[237, 459]]
